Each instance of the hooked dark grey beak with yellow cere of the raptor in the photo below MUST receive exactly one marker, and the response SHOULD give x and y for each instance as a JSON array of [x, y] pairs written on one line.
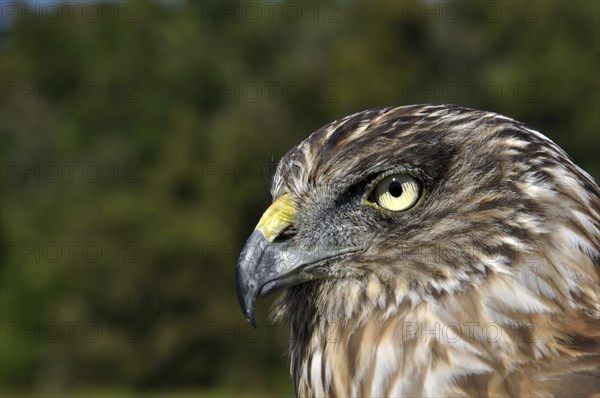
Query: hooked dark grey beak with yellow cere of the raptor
[[266, 266]]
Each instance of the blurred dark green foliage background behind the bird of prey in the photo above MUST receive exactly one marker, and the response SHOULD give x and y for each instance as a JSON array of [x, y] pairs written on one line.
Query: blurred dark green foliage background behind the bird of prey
[[137, 142]]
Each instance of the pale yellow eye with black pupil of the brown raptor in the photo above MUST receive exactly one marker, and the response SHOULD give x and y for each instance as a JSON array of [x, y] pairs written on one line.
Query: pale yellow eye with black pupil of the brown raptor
[[397, 192]]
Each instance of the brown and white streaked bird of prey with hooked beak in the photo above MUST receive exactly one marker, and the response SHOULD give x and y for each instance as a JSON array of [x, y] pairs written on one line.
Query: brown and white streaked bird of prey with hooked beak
[[431, 250]]
